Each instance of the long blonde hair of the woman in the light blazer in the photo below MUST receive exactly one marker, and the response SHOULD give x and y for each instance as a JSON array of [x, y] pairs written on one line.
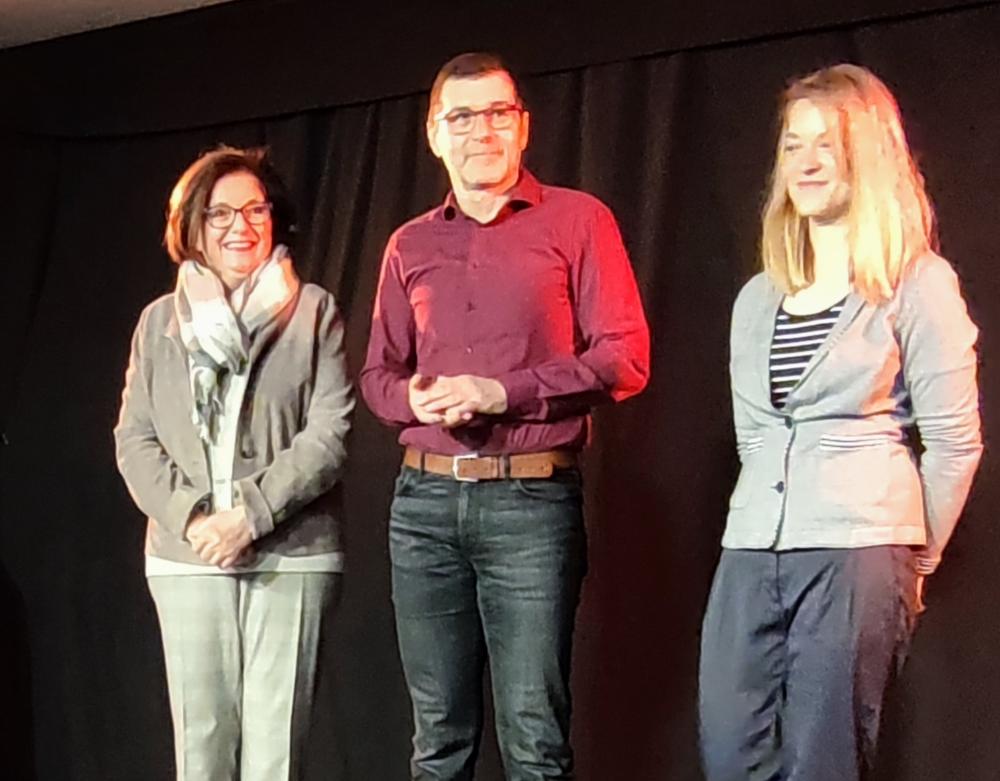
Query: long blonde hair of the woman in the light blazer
[[889, 216]]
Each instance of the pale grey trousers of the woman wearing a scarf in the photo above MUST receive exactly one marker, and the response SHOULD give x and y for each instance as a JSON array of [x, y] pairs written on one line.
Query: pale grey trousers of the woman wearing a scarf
[[241, 656]]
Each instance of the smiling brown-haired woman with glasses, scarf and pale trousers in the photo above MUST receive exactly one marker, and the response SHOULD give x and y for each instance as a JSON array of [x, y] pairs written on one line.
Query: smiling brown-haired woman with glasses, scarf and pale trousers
[[231, 438]]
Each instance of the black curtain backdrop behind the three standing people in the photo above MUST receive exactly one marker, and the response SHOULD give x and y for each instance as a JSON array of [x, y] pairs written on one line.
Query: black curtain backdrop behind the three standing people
[[678, 143]]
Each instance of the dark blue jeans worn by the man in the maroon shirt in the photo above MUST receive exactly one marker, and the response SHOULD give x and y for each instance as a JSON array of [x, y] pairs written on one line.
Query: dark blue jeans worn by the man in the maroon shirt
[[487, 571]]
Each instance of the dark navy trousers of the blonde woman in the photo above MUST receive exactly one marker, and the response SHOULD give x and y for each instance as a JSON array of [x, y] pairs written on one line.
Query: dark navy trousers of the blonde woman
[[797, 650]]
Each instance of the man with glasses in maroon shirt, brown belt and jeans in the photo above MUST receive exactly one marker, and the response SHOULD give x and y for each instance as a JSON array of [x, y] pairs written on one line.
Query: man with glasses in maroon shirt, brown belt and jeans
[[502, 317]]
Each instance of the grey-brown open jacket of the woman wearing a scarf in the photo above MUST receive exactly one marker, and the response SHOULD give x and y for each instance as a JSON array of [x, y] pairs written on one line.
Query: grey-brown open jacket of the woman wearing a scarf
[[291, 446]]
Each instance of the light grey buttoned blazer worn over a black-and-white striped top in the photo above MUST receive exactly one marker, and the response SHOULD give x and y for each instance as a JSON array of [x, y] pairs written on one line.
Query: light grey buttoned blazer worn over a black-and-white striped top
[[837, 467]]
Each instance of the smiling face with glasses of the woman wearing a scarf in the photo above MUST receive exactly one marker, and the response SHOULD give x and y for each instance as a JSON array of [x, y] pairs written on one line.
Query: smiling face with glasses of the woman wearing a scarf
[[234, 250]]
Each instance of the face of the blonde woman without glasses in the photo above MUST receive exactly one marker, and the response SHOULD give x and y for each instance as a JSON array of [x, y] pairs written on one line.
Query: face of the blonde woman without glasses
[[812, 162]]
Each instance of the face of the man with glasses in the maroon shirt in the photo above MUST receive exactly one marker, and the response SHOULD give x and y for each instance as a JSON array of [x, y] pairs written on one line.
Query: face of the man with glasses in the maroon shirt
[[479, 131]]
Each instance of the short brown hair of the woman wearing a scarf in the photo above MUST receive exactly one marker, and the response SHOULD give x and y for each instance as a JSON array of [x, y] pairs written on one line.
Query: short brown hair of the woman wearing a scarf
[[189, 198]]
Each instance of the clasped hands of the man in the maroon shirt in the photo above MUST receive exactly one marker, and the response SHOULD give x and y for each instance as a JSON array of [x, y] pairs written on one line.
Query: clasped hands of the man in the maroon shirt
[[455, 400]]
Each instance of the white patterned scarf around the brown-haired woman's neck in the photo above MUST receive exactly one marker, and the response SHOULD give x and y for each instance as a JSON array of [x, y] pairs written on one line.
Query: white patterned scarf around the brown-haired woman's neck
[[217, 331]]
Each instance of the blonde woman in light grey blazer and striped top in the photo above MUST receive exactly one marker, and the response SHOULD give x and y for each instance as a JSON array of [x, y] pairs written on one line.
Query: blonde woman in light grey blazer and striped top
[[851, 344]]
